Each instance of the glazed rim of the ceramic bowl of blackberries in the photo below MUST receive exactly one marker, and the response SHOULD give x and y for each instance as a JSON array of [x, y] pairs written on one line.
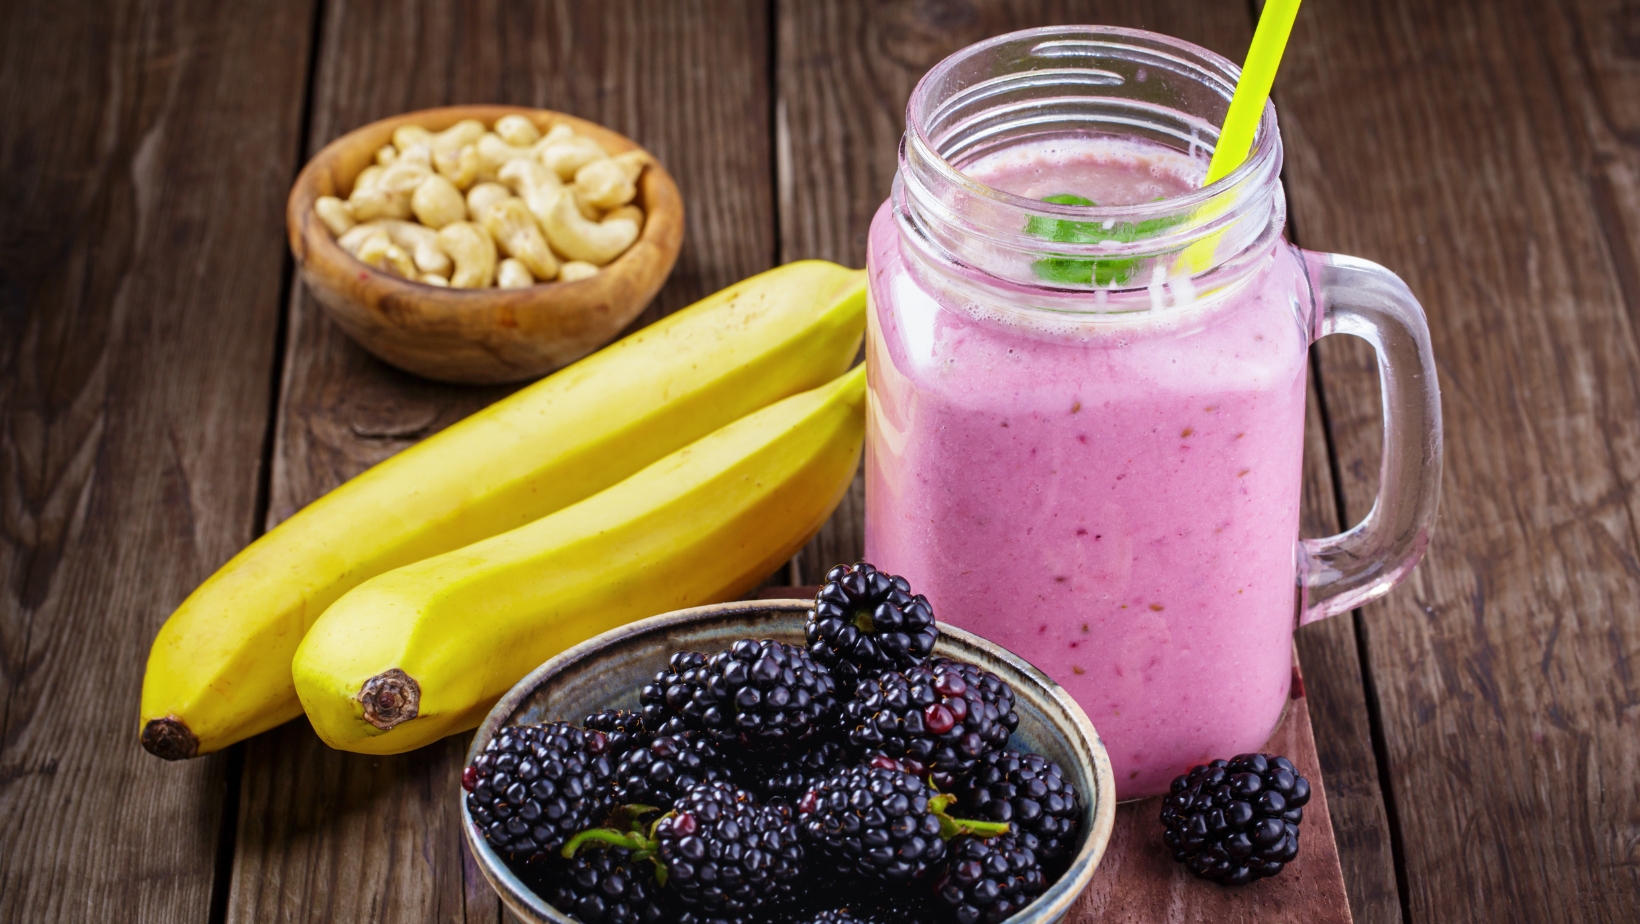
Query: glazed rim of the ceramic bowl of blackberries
[[1049, 907]]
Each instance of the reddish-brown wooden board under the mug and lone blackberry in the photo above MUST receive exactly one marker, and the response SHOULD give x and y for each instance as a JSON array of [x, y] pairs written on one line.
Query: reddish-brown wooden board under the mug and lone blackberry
[[1139, 884]]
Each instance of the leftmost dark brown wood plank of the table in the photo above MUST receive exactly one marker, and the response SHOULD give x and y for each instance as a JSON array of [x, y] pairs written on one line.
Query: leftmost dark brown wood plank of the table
[[145, 160]]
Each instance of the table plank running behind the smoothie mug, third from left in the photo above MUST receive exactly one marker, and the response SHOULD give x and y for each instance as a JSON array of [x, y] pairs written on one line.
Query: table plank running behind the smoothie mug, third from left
[[845, 73]]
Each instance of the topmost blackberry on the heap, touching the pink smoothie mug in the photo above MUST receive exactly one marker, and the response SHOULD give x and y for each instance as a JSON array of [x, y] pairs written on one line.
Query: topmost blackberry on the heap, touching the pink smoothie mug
[[867, 621]]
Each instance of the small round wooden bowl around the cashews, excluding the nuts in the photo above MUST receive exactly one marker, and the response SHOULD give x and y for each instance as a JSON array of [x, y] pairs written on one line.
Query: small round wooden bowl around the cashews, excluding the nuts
[[478, 336]]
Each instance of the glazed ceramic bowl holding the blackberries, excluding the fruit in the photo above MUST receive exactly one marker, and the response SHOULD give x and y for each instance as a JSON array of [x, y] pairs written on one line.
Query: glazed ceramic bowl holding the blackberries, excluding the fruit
[[609, 670]]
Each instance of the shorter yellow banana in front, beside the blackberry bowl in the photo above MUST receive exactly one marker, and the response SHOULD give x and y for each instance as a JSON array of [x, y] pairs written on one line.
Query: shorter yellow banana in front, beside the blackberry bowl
[[422, 652]]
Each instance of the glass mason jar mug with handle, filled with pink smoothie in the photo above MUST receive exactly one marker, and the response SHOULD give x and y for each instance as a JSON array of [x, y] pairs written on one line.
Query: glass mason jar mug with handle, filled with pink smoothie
[[1088, 380]]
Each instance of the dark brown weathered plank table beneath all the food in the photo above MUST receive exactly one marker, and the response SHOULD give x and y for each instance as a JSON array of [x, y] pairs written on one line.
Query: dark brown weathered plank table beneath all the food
[[168, 391]]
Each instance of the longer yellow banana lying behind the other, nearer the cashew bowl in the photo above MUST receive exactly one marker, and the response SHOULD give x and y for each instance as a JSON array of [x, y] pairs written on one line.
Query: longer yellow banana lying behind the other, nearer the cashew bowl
[[221, 669]]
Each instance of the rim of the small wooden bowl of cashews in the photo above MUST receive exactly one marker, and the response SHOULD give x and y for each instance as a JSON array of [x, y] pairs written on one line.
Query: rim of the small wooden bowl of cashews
[[657, 190]]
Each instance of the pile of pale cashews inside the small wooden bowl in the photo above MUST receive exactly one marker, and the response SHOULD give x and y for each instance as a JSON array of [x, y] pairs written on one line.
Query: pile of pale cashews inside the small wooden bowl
[[473, 208]]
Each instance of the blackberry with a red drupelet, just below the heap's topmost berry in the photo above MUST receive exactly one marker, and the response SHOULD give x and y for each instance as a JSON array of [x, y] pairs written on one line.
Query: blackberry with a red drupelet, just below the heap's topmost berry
[[929, 718]]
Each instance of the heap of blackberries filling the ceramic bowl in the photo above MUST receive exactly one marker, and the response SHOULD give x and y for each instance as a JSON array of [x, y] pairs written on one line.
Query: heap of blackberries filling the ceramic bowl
[[850, 780]]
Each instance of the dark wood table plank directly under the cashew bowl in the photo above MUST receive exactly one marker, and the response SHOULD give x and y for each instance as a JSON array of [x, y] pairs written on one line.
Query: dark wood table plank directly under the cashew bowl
[[327, 836]]
